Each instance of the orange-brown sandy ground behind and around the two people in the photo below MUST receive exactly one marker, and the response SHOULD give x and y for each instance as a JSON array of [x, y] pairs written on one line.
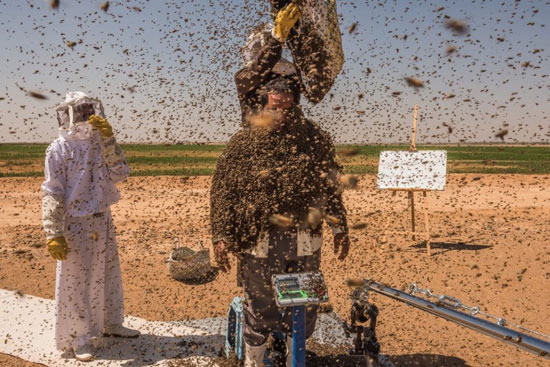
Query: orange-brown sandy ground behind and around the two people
[[491, 249]]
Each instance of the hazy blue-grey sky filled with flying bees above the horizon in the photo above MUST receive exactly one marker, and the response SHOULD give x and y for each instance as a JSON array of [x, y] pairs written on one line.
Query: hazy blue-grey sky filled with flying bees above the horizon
[[164, 69]]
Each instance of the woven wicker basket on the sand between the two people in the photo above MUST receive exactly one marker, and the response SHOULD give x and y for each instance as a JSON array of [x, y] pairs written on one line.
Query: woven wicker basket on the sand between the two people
[[187, 264]]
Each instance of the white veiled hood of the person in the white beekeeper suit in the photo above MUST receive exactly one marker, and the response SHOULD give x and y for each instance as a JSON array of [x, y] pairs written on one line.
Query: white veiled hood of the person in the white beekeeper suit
[[73, 115]]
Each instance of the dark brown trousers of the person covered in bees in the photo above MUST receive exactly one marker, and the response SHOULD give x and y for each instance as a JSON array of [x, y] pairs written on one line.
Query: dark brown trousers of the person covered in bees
[[261, 314]]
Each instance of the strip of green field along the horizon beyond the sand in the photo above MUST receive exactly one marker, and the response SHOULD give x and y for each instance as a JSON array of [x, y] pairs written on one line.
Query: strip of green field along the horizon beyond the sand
[[200, 159]]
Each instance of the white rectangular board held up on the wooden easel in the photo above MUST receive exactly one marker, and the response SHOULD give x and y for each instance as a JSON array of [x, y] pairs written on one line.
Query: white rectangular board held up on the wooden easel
[[418, 170]]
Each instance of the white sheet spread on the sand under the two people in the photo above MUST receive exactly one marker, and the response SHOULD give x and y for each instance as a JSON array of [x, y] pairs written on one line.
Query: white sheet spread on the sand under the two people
[[27, 332]]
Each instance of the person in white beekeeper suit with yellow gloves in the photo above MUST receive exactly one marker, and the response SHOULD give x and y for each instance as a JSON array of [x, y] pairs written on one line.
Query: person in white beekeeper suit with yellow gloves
[[82, 166]]
